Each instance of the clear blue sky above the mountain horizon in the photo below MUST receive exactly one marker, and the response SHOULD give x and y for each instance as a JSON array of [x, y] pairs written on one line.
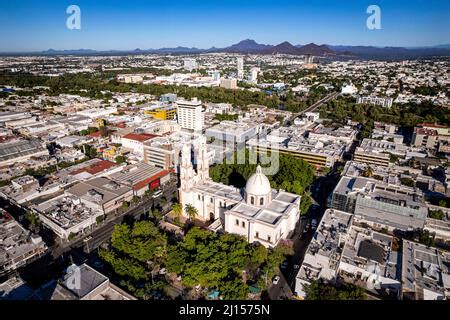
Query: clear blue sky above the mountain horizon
[[29, 25]]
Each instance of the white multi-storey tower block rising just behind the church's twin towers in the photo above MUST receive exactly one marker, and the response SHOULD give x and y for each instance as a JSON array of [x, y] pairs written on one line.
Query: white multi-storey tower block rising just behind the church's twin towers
[[190, 114]]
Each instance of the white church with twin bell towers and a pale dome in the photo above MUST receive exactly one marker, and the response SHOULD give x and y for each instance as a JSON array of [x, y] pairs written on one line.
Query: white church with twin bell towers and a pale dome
[[257, 212]]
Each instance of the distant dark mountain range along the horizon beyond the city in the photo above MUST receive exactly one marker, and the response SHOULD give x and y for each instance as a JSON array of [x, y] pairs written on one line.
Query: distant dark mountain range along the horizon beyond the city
[[249, 46]]
